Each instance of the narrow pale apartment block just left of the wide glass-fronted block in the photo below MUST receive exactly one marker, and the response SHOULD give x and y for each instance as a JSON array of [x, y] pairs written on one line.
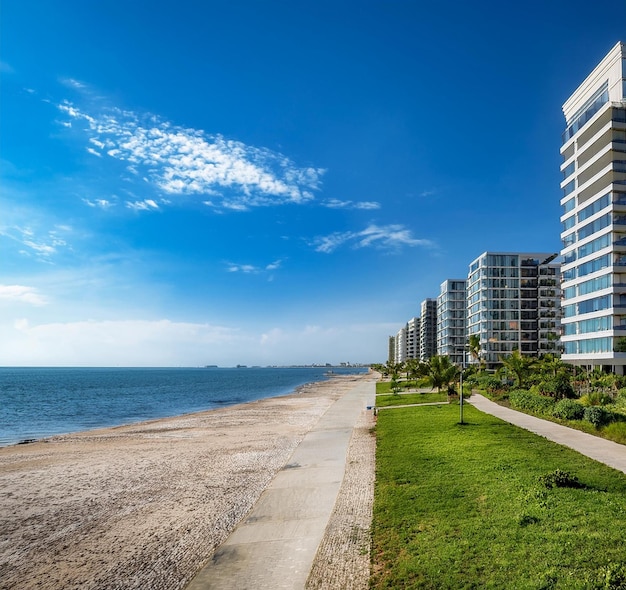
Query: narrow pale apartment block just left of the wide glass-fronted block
[[451, 320]]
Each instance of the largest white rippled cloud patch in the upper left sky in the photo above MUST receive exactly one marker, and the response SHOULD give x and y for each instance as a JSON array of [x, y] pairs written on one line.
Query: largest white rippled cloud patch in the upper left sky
[[182, 161]]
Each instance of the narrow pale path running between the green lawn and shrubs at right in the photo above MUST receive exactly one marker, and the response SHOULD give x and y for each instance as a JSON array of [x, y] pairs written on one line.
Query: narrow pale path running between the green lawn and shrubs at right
[[600, 449]]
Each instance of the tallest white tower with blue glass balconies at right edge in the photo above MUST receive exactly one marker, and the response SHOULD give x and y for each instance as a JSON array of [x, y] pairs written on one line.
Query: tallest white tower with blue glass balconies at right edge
[[594, 218]]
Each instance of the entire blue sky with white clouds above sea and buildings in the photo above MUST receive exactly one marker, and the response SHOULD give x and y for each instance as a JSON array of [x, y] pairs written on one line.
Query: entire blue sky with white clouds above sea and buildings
[[278, 182]]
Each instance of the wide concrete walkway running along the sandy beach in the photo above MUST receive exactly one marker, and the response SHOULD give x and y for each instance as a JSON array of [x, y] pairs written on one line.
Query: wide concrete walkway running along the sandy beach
[[274, 546]]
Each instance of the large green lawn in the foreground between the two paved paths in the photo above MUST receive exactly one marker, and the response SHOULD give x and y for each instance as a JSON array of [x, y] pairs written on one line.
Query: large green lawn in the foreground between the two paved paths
[[463, 506]]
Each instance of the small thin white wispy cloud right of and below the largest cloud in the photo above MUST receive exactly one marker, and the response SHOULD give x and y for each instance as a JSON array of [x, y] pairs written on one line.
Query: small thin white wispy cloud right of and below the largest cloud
[[386, 237]]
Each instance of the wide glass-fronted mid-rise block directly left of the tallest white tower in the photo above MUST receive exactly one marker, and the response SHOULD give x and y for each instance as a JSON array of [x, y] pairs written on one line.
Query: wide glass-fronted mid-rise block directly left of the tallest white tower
[[513, 303]]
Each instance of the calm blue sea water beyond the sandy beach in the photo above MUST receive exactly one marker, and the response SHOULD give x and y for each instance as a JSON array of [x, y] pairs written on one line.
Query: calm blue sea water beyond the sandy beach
[[40, 402]]
